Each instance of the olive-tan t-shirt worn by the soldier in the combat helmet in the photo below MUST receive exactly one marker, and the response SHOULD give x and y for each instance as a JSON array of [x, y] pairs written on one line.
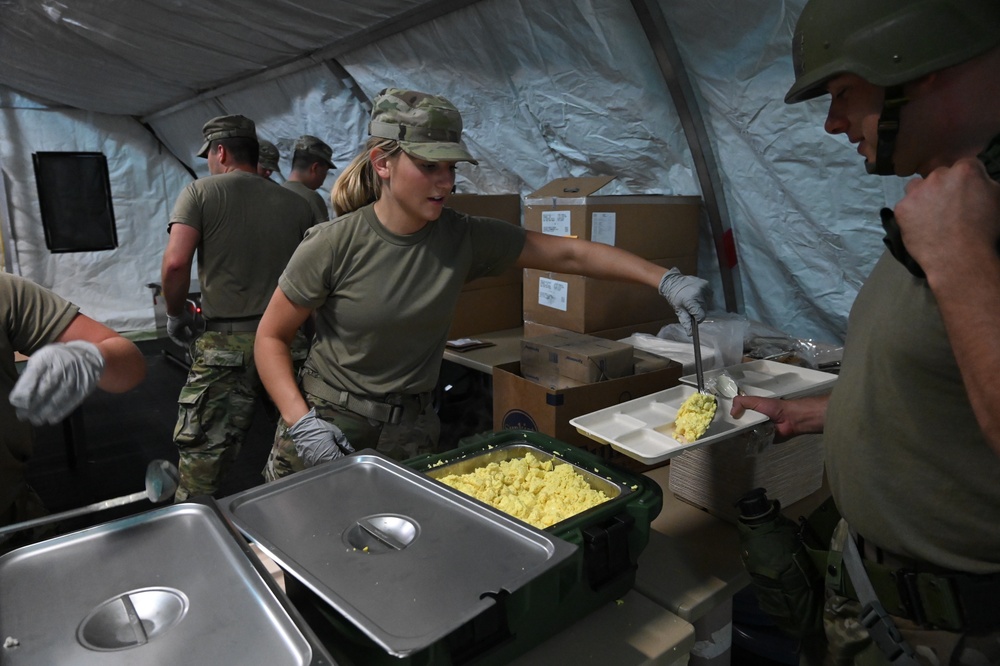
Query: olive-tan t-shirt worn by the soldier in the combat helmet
[[907, 462]]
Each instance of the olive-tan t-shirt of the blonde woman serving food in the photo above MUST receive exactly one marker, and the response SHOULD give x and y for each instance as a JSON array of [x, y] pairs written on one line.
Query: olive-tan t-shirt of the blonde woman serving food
[[383, 301]]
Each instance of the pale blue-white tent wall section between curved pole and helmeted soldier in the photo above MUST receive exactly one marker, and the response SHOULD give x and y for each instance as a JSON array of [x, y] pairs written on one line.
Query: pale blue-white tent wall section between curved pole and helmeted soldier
[[803, 211]]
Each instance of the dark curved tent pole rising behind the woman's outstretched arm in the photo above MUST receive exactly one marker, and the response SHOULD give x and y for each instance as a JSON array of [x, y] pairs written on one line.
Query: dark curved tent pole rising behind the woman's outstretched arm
[[654, 24]]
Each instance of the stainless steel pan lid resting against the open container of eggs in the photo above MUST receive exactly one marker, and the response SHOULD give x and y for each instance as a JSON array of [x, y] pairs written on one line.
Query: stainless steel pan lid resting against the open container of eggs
[[404, 558]]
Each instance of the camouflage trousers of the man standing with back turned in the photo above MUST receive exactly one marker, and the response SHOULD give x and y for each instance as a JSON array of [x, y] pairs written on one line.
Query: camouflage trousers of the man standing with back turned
[[215, 410]]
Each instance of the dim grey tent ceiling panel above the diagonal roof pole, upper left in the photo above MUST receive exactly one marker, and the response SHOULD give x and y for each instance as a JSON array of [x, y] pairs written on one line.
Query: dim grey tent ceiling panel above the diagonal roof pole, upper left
[[136, 57]]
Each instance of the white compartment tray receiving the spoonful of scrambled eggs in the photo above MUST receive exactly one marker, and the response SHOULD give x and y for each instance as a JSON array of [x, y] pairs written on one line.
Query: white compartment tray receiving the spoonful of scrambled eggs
[[642, 428]]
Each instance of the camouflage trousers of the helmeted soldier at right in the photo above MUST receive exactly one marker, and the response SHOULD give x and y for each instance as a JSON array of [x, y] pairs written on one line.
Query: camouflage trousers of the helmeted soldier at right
[[845, 642]]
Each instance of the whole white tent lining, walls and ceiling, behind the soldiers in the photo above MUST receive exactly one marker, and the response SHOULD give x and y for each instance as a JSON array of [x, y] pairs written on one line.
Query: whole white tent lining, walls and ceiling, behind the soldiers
[[547, 89]]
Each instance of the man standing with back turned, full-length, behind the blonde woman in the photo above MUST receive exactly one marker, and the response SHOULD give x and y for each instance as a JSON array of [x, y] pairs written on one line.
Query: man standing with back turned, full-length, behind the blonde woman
[[244, 230]]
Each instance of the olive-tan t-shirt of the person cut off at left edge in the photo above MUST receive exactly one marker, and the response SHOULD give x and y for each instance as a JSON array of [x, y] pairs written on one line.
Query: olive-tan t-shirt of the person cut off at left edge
[[30, 318]]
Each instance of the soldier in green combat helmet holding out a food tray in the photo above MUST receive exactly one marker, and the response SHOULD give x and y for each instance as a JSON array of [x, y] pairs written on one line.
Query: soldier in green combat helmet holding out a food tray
[[912, 428]]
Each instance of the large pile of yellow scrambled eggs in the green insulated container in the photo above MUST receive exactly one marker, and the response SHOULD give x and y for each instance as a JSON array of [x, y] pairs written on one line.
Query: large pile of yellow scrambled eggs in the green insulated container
[[539, 493]]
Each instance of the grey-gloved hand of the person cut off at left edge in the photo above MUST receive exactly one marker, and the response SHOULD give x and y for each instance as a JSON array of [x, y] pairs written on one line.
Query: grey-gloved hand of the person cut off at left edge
[[56, 379]]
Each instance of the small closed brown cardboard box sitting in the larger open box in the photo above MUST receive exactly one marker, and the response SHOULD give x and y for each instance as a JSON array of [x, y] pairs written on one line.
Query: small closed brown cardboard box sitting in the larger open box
[[584, 358]]
